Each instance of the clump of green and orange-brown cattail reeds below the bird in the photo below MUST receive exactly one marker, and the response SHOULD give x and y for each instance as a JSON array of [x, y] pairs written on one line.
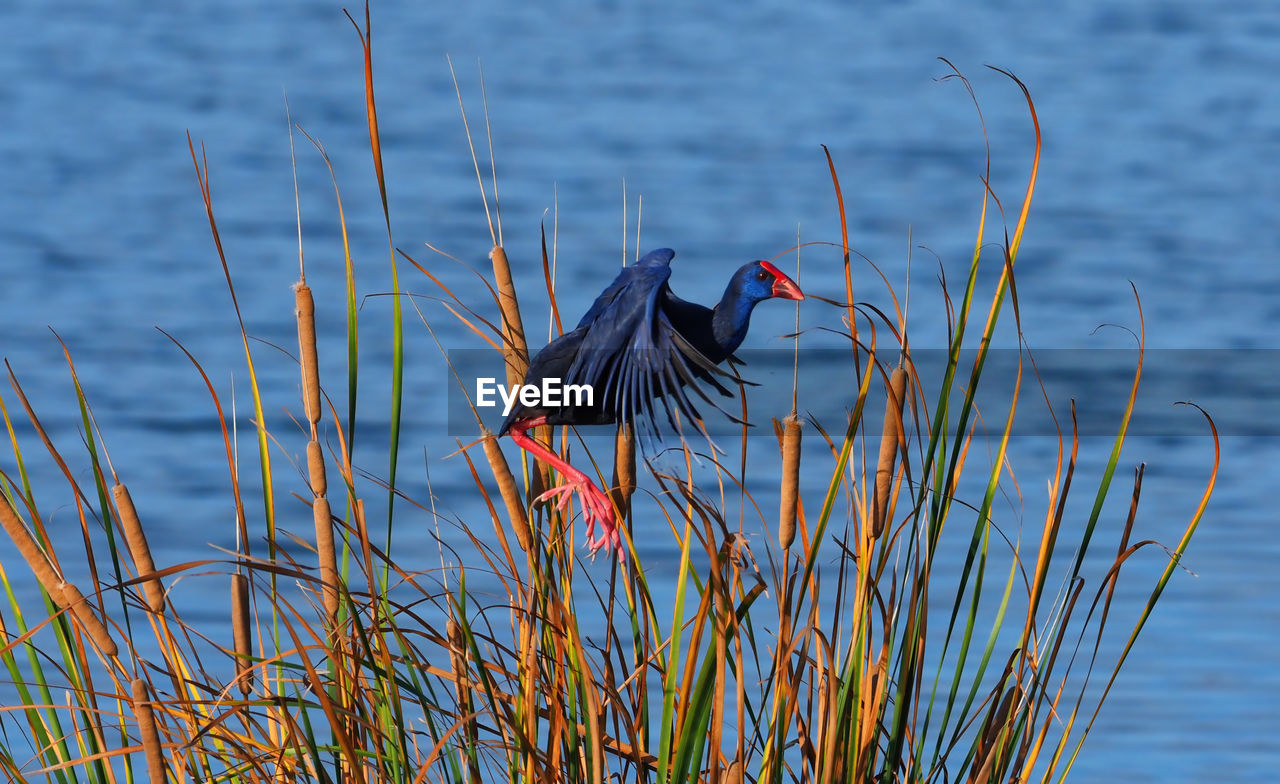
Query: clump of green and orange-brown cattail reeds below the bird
[[842, 654]]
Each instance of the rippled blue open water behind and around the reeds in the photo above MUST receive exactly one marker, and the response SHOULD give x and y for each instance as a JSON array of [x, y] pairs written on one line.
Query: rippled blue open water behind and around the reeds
[[1162, 168]]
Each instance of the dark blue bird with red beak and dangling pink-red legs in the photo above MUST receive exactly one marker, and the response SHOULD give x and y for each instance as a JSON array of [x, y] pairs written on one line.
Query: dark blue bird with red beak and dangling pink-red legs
[[639, 348]]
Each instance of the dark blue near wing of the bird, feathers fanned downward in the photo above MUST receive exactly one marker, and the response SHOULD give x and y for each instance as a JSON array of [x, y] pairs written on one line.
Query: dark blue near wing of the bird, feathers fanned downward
[[634, 358]]
